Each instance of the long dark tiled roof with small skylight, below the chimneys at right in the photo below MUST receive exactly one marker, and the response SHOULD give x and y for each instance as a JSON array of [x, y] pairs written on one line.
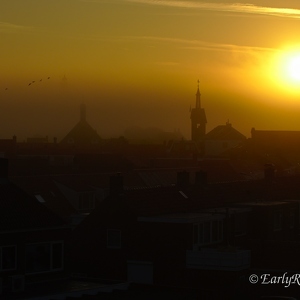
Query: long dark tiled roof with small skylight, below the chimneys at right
[[174, 205]]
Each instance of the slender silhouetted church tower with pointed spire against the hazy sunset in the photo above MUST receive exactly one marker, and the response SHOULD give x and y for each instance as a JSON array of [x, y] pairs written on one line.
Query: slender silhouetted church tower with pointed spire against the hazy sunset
[[198, 121]]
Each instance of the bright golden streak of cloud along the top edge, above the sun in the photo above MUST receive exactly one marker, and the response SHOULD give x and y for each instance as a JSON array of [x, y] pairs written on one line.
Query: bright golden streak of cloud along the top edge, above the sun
[[224, 7]]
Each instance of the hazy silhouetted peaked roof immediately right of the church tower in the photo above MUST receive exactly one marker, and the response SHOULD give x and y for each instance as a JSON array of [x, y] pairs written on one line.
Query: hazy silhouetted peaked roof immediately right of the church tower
[[224, 132]]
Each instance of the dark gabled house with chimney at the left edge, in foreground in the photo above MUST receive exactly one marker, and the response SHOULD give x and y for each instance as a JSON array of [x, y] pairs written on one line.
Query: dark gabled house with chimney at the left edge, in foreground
[[32, 240]]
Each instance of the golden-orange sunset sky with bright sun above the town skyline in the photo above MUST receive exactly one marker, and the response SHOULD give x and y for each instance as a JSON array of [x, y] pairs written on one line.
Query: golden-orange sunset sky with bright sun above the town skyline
[[137, 63]]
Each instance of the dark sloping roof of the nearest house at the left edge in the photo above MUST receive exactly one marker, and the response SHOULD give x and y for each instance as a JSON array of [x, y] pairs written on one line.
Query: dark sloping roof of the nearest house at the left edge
[[19, 211]]
